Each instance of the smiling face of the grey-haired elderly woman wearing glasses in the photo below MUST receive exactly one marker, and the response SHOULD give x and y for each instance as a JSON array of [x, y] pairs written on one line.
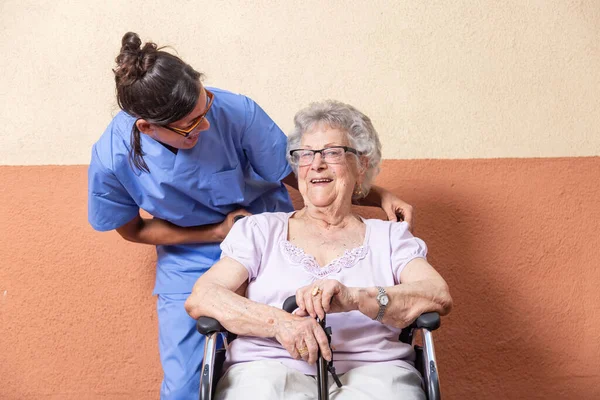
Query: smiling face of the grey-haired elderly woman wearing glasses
[[322, 184]]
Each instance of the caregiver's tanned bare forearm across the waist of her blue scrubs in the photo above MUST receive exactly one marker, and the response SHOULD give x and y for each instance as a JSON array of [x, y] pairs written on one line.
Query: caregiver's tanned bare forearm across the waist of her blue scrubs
[[160, 232]]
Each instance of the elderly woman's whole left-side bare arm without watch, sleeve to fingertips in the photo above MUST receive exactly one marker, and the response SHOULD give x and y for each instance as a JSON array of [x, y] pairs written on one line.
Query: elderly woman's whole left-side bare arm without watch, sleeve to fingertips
[[214, 296]]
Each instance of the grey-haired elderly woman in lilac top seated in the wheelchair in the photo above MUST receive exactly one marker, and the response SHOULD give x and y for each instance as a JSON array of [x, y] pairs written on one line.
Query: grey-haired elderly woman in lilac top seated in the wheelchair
[[370, 275]]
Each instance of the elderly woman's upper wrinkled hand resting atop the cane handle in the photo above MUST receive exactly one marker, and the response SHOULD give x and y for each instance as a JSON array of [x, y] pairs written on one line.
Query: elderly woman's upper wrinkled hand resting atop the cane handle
[[325, 296]]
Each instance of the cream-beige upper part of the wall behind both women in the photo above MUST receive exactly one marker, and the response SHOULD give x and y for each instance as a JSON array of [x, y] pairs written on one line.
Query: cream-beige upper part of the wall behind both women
[[441, 79]]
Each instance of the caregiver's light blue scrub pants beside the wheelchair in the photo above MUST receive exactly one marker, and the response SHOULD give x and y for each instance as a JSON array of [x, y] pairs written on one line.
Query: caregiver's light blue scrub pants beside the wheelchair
[[181, 348]]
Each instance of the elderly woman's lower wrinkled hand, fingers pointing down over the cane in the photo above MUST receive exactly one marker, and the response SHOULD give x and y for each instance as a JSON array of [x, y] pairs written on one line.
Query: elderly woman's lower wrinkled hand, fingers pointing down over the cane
[[302, 338]]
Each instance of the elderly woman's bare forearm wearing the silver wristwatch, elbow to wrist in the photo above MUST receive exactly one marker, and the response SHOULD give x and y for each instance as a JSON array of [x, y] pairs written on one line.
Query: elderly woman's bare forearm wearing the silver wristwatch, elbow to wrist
[[406, 301]]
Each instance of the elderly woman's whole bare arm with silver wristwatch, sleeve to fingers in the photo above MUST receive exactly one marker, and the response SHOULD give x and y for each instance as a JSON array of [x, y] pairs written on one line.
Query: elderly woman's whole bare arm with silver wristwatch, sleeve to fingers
[[422, 290]]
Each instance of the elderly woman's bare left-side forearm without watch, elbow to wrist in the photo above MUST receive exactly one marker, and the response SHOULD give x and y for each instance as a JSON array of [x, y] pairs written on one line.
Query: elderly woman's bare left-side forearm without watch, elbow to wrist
[[237, 314]]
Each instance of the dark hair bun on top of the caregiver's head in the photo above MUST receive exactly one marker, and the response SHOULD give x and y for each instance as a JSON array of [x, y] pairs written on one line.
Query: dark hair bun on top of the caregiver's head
[[133, 61]]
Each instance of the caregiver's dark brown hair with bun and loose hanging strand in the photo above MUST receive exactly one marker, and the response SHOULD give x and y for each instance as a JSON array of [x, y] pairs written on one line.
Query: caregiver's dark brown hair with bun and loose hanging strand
[[154, 85]]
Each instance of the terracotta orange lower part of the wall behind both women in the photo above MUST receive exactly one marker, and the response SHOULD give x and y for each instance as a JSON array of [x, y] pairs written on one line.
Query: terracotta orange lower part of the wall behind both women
[[517, 240]]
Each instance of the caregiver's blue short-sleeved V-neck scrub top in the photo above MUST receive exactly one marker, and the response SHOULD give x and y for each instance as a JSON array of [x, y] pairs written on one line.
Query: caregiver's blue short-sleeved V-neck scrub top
[[239, 162]]
